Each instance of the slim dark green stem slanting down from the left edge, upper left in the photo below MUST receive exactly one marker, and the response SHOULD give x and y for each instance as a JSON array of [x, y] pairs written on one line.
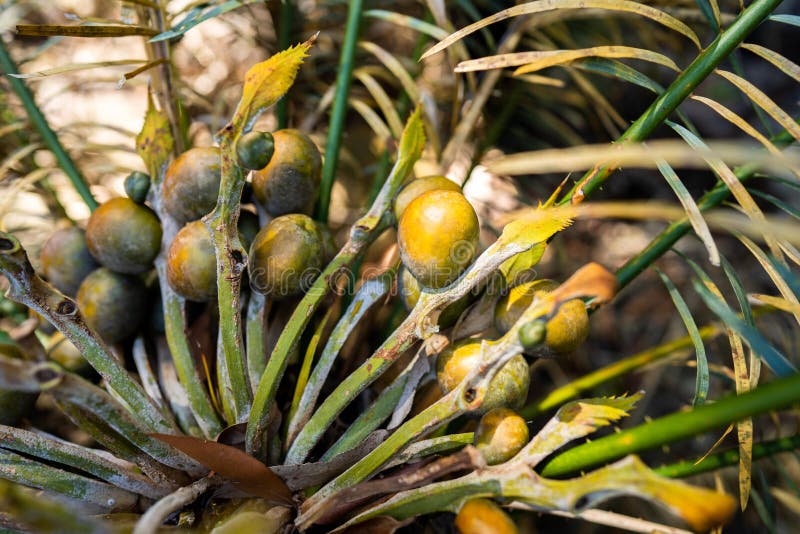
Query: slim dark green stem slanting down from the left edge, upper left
[[48, 135]]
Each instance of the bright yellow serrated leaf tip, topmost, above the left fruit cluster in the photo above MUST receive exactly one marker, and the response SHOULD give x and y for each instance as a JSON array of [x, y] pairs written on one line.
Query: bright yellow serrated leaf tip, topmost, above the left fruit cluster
[[266, 82]]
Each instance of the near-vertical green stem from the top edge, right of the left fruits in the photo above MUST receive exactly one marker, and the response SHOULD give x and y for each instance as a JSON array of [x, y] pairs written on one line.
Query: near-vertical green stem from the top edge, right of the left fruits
[[339, 107]]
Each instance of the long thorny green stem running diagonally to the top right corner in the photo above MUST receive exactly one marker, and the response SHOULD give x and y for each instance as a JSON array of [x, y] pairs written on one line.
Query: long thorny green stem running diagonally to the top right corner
[[705, 63]]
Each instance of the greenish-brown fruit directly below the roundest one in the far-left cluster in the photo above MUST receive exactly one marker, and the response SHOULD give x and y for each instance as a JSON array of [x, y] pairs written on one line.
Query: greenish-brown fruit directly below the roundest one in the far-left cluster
[[112, 304]]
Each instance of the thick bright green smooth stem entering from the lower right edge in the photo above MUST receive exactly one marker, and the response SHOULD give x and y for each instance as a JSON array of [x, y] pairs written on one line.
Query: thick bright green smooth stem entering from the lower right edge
[[677, 426]]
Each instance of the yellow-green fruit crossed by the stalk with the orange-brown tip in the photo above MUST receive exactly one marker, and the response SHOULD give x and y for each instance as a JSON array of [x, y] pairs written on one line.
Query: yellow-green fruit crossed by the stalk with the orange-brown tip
[[564, 332]]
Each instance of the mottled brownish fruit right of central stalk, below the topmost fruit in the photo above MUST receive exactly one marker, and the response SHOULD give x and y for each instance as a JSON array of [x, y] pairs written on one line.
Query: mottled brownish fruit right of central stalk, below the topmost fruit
[[286, 256]]
